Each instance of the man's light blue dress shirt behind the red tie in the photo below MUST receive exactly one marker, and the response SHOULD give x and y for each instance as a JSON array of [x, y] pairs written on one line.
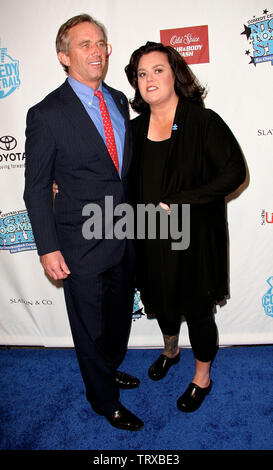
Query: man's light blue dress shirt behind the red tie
[[91, 104]]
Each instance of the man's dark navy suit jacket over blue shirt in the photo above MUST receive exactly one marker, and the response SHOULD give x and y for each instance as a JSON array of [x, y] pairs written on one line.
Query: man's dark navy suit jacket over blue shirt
[[63, 144]]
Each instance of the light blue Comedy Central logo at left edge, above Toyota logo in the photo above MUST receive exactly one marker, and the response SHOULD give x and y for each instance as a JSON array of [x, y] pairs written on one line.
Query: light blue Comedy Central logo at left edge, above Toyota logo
[[9, 73]]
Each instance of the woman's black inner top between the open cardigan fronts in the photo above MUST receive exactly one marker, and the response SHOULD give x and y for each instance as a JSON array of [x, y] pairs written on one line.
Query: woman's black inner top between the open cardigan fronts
[[159, 287]]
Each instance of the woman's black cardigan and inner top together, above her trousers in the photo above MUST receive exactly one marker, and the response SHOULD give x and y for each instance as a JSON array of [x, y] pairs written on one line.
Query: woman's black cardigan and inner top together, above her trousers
[[203, 165]]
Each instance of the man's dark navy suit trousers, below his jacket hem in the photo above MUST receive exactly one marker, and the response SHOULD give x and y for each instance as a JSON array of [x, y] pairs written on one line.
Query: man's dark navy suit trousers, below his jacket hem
[[100, 308]]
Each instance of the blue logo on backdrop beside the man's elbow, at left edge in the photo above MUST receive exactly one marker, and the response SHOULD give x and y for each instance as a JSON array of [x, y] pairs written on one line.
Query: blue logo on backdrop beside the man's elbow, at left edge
[[16, 232]]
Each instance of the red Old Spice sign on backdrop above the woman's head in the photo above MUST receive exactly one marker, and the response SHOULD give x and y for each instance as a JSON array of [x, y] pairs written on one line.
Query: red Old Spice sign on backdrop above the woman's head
[[192, 43]]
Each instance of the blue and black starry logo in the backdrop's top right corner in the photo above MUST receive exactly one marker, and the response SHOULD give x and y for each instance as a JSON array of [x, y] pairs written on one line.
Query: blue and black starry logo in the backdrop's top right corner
[[259, 33]]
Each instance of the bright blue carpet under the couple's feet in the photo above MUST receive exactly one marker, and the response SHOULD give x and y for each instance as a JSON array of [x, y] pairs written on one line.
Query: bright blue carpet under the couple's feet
[[43, 405]]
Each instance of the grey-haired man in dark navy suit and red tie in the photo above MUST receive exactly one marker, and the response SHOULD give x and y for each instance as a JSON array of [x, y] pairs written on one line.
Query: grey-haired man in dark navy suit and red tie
[[67, 141]]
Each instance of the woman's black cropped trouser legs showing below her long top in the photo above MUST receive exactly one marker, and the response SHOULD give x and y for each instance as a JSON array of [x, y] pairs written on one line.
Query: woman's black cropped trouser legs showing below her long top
[[202, 328]]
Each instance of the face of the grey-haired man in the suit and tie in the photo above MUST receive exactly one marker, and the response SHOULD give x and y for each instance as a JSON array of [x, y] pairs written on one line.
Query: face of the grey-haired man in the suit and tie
[[87, 54]]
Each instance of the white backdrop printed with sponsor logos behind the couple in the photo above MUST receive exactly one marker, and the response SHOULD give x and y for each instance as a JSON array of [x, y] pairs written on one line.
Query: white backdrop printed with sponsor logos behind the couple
[[229, 46]]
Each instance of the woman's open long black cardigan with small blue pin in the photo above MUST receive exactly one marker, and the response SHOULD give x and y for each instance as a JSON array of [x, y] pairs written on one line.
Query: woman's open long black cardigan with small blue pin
[[204, 165]]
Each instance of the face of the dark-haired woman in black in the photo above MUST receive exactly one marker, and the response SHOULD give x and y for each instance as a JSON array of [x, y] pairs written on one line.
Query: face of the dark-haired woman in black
[[155, 78]]
